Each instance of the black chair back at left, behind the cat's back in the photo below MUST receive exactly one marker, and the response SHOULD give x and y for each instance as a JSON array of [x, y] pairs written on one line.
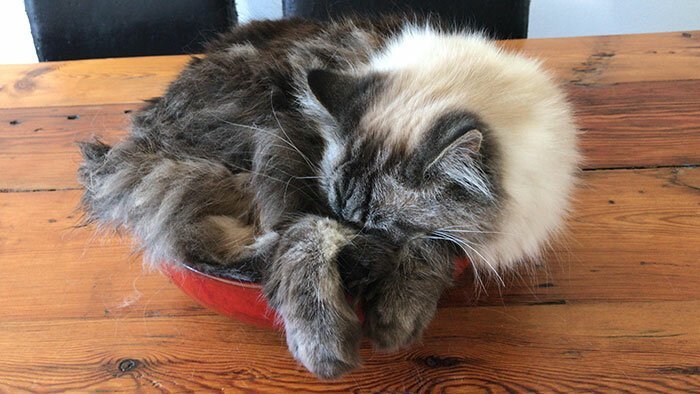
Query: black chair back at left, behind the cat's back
[[83, 29]]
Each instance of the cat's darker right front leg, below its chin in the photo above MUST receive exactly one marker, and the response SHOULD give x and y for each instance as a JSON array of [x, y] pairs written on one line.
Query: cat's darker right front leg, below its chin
[[400, 305]]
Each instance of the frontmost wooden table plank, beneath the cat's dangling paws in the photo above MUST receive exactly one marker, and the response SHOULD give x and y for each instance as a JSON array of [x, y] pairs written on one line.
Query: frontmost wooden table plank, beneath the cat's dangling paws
[[563, 348]]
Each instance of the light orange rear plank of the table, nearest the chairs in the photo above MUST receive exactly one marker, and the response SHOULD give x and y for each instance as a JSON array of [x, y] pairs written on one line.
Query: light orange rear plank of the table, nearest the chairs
[[581, 60]]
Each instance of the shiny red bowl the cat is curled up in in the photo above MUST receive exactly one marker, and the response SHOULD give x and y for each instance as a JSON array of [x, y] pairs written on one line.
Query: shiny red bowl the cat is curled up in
[[242, 301]]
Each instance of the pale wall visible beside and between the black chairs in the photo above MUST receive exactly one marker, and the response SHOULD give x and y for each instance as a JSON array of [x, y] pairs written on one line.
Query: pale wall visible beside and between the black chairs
[[548, 18]]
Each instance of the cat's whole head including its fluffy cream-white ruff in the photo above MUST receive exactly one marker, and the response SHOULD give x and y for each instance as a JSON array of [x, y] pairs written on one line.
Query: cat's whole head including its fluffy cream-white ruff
[[448, 135]]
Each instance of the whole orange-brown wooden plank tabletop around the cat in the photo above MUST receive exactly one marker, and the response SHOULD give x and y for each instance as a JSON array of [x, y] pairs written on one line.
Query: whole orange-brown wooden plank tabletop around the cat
[[615, 306]]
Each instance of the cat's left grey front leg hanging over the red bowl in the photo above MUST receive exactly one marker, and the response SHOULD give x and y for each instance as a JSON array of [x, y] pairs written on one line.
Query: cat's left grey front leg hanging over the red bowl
[[304, 285]]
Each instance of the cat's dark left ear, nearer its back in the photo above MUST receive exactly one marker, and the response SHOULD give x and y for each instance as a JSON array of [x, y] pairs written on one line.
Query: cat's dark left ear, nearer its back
[[335, 91]]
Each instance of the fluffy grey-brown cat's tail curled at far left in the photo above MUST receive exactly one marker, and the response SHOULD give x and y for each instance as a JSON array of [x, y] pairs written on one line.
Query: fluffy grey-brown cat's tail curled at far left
[[179, 209]]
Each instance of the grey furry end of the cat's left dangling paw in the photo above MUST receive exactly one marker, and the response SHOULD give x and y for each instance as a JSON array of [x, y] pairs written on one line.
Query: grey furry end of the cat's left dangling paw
[[328, 351]]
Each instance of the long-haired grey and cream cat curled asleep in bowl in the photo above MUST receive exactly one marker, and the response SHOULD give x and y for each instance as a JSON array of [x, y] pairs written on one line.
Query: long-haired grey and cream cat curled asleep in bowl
[[354, 156]]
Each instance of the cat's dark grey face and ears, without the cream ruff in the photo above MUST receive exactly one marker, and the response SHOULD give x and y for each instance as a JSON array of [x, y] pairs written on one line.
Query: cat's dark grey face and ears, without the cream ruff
[[385, 186]]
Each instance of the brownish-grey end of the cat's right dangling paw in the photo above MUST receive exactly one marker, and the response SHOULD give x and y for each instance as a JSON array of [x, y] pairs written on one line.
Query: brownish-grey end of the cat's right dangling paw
[[392, 326]]
